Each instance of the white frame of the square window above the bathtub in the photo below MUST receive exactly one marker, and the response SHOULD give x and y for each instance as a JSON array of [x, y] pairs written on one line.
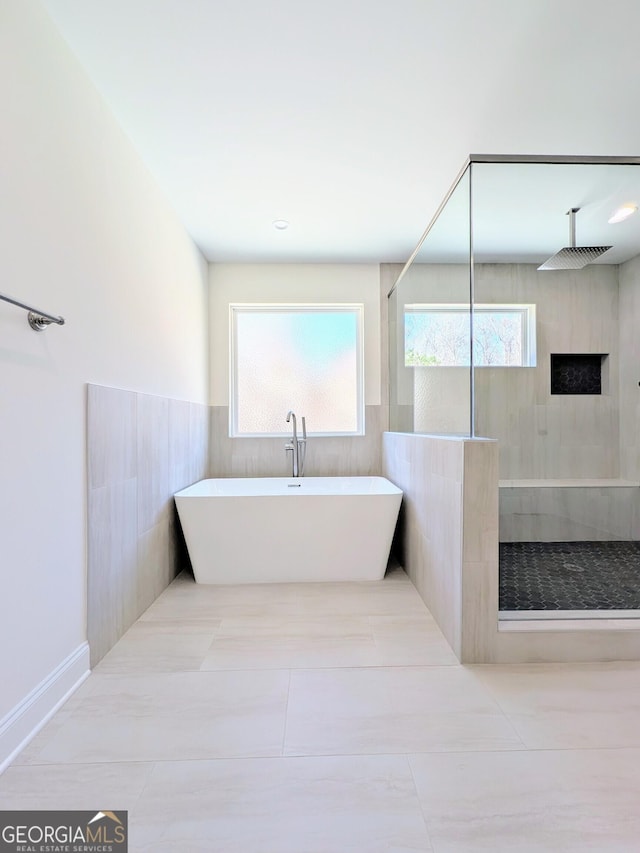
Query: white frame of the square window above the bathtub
[[236, 308]]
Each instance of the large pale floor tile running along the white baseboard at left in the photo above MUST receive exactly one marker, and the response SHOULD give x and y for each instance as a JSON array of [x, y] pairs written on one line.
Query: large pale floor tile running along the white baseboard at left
[[172, 716]]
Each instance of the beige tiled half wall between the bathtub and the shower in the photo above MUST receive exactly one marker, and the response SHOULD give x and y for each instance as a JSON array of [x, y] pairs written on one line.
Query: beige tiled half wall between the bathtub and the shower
[[448, 530]]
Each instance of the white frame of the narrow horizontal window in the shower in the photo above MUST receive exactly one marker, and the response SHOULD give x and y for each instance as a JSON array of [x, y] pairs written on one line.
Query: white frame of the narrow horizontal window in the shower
[[526, 310]]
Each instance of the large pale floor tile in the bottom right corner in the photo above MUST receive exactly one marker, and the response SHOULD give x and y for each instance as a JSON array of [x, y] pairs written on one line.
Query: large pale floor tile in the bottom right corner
[[531, 802]]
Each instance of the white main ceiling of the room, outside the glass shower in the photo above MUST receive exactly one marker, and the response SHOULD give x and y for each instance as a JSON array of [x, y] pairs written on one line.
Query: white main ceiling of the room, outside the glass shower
[[350, 118]]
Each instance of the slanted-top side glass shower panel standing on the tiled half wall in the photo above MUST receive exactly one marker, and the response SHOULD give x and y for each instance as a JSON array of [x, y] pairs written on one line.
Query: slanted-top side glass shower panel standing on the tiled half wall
[[429, 327]]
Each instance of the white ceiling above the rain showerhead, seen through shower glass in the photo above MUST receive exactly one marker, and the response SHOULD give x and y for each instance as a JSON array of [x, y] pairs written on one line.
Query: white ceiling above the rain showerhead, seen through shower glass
[[520, 213]]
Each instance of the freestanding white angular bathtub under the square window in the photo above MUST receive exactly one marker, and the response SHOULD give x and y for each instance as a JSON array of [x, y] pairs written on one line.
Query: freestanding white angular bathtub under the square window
[[279, 529]]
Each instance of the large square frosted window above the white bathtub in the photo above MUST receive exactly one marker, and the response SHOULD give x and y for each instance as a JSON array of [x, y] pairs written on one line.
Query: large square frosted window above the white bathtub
[[307, 358]]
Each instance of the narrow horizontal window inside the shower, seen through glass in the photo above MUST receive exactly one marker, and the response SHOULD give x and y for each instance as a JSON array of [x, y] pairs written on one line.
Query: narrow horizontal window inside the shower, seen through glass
[[440, 335]]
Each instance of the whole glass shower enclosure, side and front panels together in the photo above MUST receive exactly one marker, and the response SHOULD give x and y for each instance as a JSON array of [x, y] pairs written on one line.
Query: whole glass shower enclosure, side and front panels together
[[517, 318]]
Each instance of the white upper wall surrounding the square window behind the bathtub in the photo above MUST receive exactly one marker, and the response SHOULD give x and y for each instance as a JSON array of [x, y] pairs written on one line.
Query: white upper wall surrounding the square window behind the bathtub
[[293, 283]]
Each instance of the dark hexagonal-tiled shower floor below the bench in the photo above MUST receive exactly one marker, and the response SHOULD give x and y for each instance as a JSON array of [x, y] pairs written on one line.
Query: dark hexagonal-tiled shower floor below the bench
[[570, 575]]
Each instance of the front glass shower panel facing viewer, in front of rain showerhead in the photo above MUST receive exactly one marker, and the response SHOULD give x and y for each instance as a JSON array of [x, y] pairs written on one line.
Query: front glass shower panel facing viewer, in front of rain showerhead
[[553, 377]]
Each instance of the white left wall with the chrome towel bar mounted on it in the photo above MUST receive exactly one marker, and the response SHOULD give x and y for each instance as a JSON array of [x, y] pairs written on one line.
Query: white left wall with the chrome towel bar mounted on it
[[85, 233]]
